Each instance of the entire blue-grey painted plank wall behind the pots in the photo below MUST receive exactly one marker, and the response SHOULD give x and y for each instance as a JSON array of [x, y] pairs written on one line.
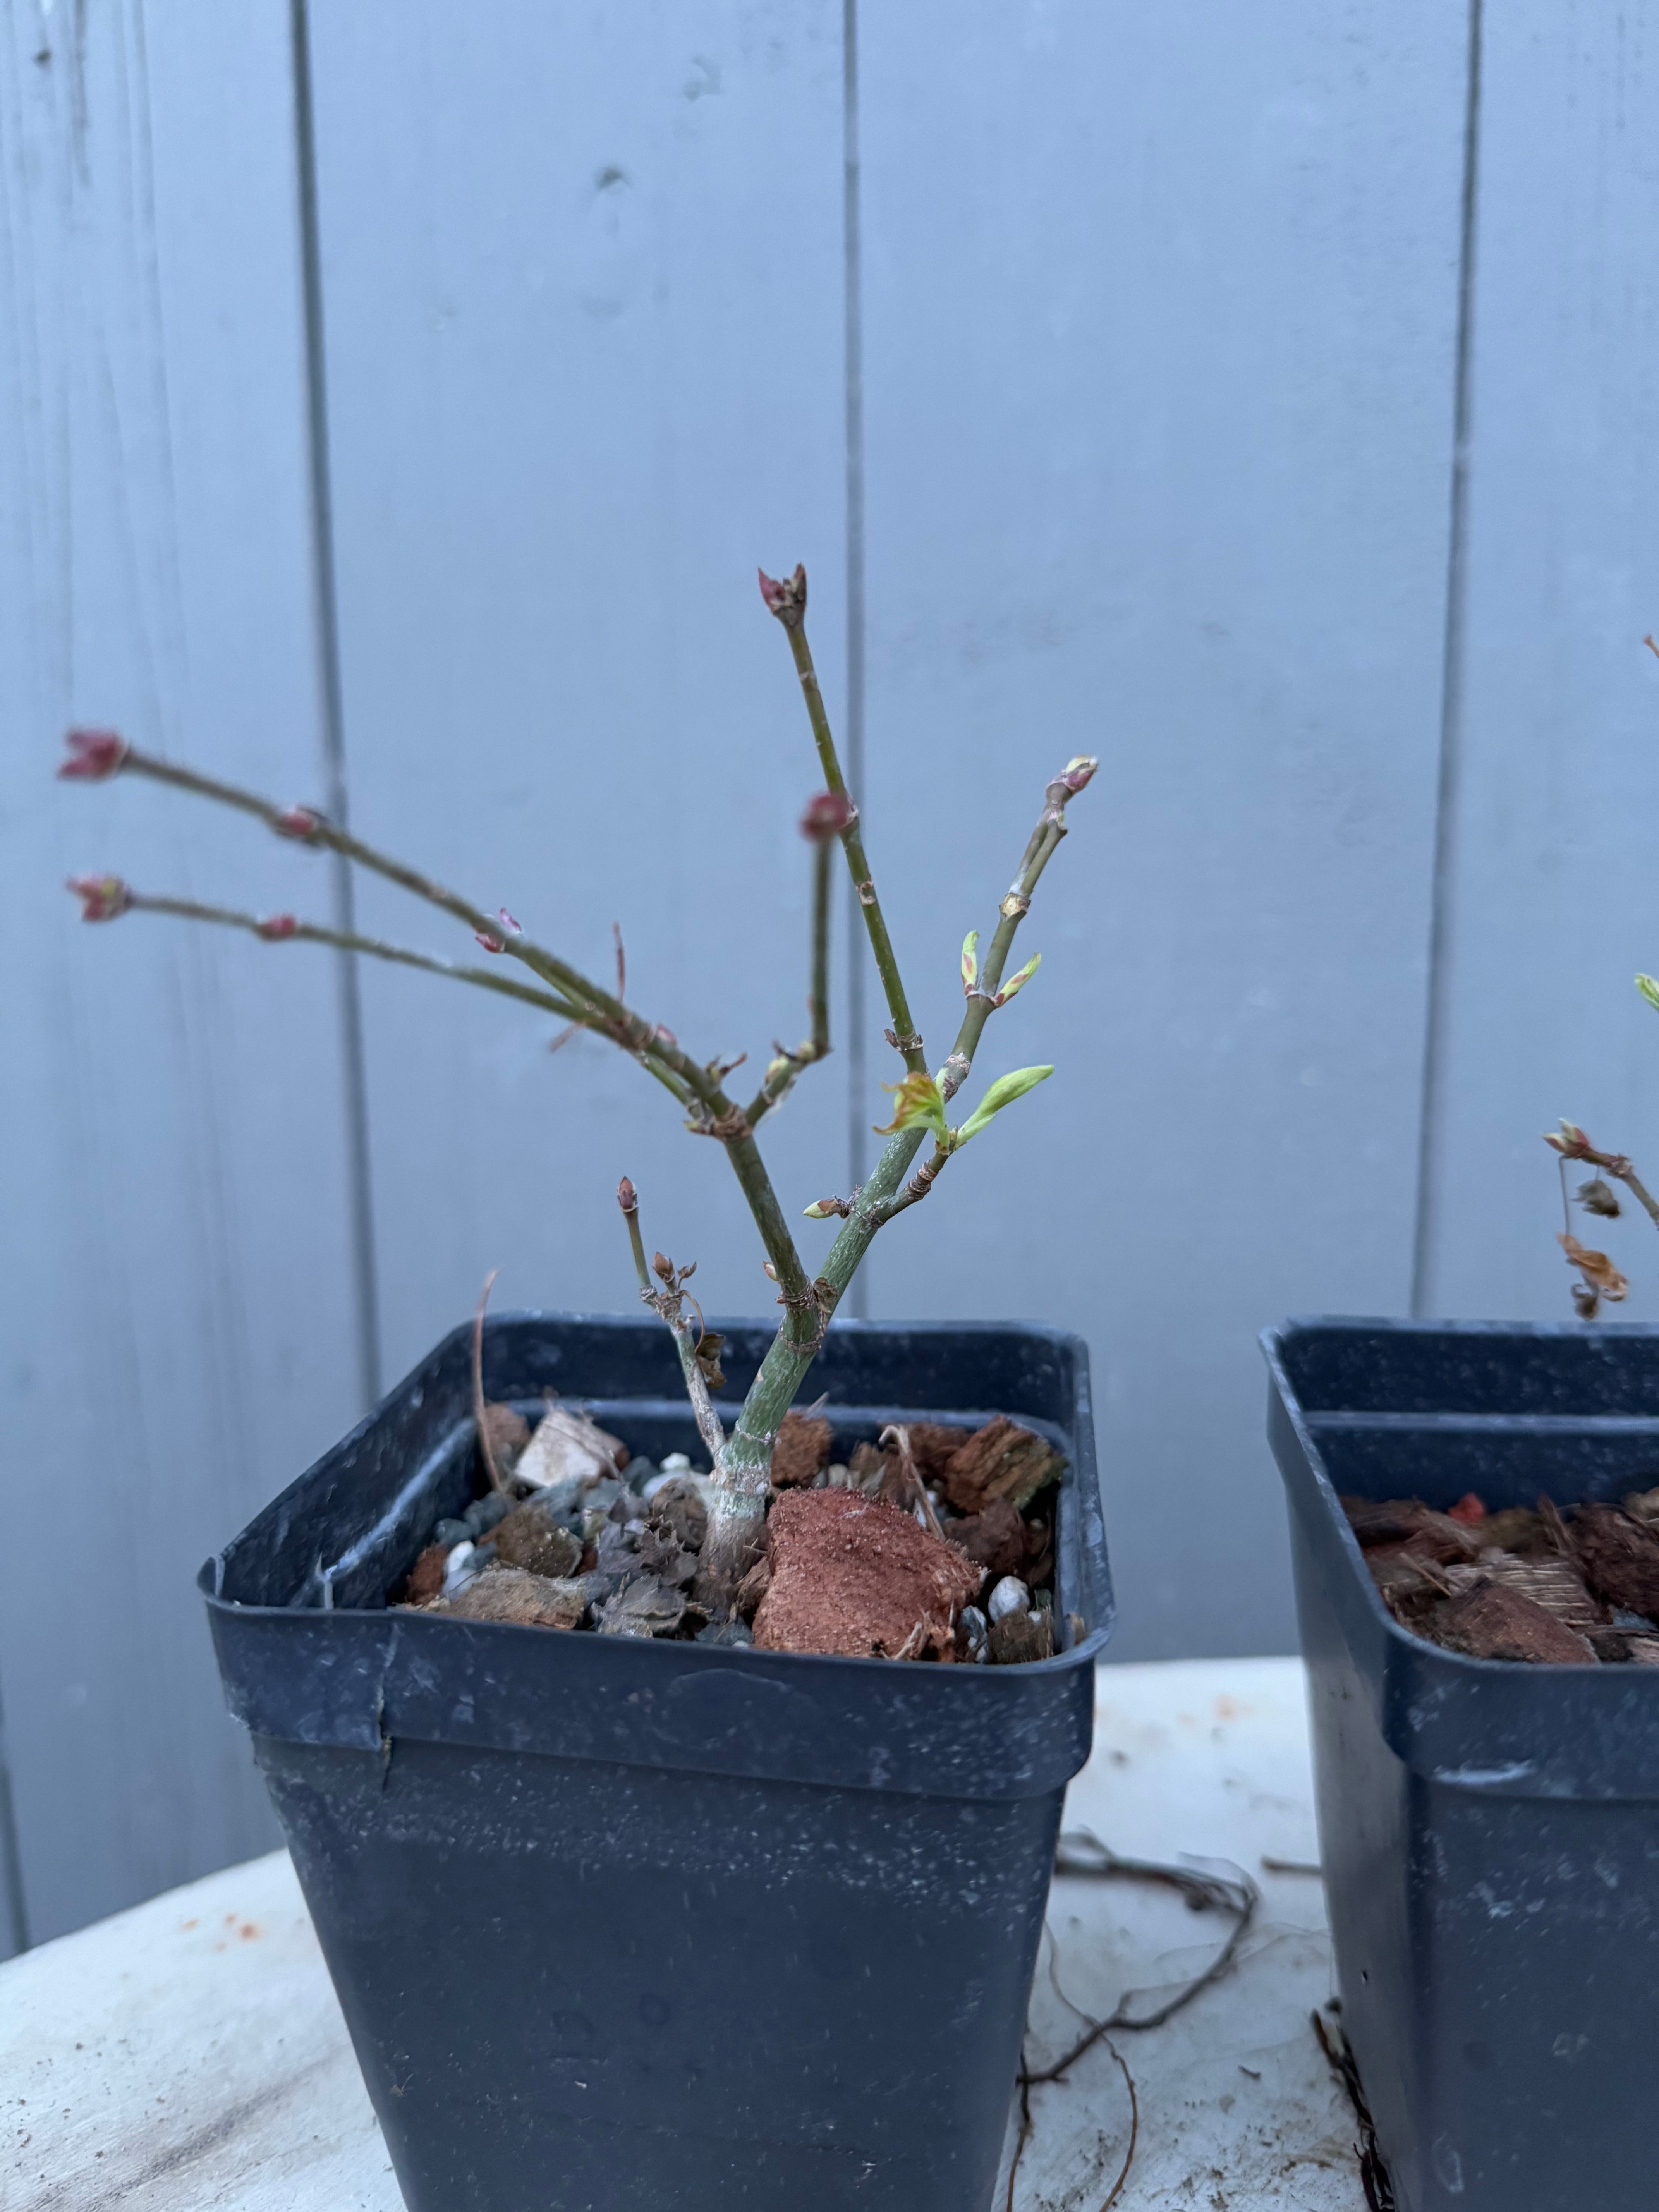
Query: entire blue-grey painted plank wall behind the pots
[[1240, 395]]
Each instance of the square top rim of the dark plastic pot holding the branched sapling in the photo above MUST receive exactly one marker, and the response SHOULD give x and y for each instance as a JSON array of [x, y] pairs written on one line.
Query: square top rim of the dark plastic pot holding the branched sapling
[[676, 1653]]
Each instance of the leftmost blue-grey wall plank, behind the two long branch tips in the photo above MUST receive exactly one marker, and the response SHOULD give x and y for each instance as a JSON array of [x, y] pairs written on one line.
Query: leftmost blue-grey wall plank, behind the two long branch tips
[[176, 1302]]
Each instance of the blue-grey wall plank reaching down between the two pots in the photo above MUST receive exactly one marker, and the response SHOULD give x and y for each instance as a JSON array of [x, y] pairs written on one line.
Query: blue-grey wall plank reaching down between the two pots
[[1160, 335]]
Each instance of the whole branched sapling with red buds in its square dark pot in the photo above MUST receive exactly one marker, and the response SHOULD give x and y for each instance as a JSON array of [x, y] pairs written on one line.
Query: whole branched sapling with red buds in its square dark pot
[[696, 1848]]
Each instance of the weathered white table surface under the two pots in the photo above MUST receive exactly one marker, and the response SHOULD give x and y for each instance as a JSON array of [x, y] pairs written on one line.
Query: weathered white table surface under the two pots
[[191, 2056]]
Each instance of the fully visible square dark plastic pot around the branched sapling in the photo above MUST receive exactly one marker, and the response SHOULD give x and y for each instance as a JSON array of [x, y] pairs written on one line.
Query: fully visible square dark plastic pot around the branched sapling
[[647, 1923]]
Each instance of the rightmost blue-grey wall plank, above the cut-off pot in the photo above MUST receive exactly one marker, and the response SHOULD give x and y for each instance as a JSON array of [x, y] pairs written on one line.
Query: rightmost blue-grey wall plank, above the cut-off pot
[[1552, 906]]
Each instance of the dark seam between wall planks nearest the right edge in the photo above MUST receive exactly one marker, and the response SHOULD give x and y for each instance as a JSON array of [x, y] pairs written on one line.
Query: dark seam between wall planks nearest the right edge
[[1452, 702]]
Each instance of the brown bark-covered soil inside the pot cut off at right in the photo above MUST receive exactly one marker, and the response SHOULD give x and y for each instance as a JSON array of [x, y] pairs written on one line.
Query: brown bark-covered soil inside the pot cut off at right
[[1536, 1585]]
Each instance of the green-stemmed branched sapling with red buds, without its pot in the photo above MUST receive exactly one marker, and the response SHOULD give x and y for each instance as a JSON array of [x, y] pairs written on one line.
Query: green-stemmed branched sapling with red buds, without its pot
[[530, 972]]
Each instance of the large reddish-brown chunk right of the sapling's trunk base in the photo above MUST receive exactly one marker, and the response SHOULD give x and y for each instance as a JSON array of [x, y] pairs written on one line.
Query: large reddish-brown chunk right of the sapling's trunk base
[[857, 1578]]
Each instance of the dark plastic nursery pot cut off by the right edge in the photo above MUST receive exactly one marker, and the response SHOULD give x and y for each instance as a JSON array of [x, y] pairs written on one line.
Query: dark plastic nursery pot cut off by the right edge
[[1490, 1833]]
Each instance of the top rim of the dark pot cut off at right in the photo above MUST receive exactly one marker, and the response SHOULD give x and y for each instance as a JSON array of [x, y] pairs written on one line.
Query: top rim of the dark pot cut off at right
[[1616, 1682]]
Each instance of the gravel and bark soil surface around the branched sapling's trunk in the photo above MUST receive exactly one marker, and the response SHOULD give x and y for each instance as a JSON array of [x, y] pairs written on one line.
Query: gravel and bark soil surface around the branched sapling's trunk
[[926, 1543]]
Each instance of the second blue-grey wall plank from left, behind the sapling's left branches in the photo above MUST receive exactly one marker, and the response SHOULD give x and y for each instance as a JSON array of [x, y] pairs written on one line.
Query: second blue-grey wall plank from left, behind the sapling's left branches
[[585, 346]]
